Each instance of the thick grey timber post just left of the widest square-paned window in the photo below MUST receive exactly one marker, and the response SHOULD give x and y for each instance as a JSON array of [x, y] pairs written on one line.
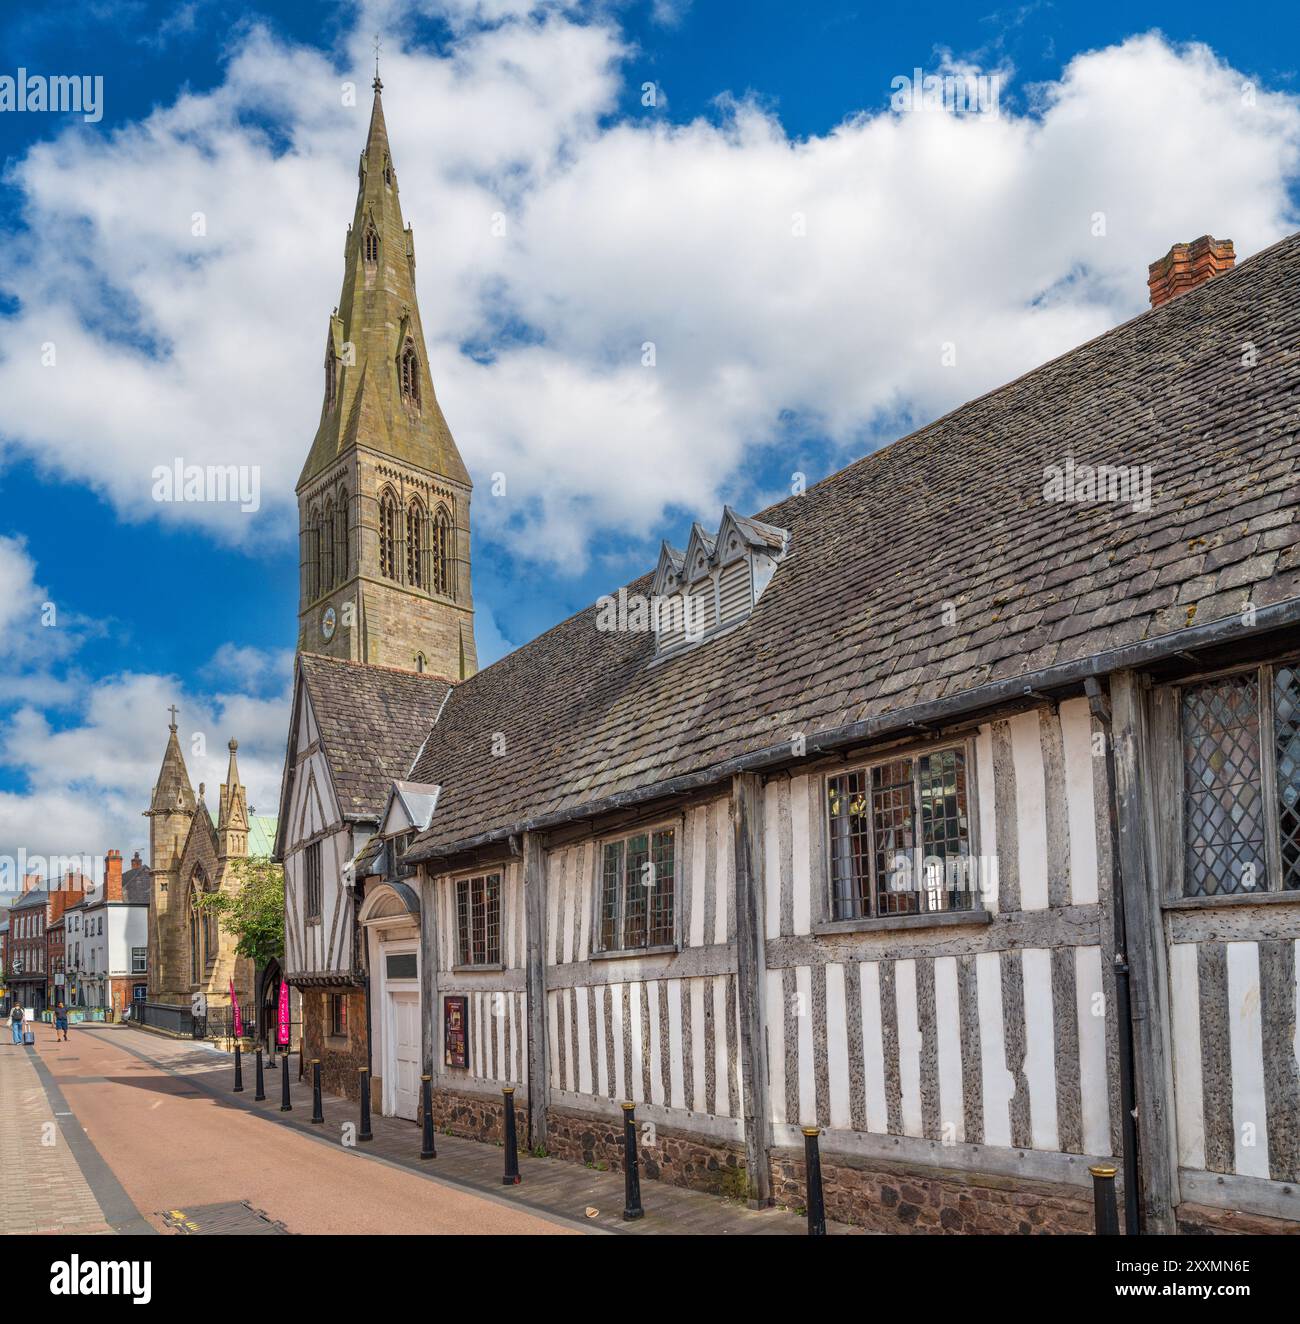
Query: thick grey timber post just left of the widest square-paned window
[[751, 980]]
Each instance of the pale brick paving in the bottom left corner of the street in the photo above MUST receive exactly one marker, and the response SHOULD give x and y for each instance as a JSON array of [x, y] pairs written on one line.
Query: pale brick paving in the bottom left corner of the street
[[44, 1187]]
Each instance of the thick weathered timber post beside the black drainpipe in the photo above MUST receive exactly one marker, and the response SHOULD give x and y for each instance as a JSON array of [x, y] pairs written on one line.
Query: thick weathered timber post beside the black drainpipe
[[1135, 810]]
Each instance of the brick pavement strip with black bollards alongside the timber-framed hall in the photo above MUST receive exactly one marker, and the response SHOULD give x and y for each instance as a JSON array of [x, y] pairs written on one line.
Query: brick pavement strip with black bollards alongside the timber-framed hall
[[551, 1186]]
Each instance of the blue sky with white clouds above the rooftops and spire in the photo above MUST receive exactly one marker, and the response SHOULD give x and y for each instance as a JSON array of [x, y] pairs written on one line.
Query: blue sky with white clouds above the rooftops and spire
[[629, 224]]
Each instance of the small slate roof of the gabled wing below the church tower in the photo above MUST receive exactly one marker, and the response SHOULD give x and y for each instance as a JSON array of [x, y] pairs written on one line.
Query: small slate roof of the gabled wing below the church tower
[[373, 722]]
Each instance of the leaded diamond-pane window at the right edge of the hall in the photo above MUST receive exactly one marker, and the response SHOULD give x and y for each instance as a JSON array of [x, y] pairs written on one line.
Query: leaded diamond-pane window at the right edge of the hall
[[1241, 770]]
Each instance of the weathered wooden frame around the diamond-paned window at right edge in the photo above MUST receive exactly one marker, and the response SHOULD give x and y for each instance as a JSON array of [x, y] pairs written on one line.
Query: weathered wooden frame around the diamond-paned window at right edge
[[1172, 767]]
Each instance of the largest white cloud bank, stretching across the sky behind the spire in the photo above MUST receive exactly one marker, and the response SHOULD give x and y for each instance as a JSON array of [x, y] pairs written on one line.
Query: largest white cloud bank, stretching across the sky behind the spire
[[921, 231]]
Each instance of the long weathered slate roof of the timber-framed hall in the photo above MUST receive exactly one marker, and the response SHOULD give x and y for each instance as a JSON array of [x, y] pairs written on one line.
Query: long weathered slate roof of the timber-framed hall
[[852, 628]]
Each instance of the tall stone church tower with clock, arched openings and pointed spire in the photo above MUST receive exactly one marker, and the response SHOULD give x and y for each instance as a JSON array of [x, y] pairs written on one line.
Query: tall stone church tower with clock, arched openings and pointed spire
[[385, 498]]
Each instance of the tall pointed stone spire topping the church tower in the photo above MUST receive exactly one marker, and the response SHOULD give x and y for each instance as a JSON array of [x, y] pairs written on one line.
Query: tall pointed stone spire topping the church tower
[[379, 391]]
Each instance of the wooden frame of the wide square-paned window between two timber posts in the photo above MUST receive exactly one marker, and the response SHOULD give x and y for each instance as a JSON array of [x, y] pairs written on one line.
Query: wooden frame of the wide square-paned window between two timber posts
[[978, 913]]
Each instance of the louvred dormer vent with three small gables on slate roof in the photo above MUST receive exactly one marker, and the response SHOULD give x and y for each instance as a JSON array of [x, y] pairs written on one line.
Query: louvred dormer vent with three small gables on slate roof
[[716, 583]]
